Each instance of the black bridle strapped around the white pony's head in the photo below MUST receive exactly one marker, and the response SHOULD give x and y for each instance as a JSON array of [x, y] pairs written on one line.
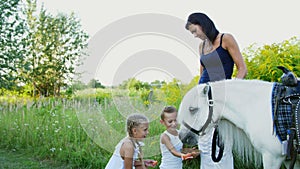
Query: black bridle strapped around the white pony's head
[[201, 131]]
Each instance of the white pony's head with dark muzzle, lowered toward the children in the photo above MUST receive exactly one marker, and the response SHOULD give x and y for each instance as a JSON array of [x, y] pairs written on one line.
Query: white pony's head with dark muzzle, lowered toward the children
[[194, 113]]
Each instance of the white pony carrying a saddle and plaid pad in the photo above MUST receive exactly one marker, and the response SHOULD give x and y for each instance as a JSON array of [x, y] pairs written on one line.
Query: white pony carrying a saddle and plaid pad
[[242, 110]]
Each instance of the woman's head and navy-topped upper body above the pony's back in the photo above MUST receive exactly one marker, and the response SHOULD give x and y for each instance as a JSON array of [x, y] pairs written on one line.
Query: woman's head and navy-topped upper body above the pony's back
[[217, 50]]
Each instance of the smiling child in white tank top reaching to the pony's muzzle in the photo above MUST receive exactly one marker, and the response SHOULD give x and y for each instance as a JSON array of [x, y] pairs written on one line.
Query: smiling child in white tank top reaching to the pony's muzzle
[[170, 144]]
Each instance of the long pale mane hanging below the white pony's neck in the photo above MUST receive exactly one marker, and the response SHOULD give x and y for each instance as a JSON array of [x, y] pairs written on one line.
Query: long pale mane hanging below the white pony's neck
[[232, 135]]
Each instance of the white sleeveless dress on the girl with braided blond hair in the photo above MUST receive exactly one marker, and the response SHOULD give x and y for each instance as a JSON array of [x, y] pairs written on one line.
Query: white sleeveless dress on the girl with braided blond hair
[[116, 161]]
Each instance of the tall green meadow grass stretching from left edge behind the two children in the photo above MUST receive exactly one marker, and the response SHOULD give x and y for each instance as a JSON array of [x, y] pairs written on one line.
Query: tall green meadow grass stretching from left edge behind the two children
[[79, 132]]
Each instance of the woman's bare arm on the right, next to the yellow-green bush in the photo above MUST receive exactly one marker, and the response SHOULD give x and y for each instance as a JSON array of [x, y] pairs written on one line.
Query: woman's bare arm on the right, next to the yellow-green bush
[[230, 44]]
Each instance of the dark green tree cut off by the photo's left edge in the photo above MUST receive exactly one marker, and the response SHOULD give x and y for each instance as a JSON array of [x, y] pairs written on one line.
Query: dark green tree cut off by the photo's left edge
[[12, 29]]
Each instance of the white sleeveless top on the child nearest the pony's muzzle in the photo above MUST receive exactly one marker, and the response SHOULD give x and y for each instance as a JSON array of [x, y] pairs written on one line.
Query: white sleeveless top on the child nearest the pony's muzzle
[[169, 161]]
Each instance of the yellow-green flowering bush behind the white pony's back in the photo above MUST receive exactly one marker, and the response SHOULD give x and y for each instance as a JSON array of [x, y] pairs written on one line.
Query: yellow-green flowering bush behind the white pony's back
[[262, 62]]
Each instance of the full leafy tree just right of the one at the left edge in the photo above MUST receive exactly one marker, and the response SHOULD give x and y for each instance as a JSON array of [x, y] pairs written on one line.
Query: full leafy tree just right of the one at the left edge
[[55, 47]]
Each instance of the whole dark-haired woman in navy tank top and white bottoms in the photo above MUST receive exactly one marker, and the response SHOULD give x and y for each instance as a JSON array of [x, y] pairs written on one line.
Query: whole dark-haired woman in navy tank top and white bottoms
[[219, 52]]
